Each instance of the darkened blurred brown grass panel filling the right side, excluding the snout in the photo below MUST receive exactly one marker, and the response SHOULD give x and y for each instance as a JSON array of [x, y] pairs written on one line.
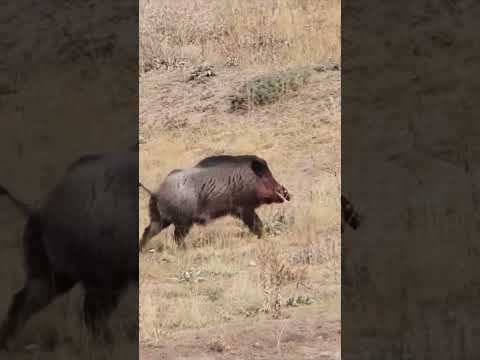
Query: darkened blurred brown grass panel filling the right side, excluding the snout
[[410, 166]]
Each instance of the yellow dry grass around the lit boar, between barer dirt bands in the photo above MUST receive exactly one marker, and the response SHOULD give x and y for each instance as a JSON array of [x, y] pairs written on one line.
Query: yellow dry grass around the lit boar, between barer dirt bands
[[224, 261]]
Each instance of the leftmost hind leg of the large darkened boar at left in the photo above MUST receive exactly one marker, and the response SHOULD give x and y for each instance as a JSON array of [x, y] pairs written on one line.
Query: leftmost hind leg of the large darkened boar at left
[[37, 293]]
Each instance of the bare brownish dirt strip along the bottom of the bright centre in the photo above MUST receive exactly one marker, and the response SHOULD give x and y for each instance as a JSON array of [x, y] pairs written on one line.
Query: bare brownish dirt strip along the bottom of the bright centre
[[301, 337]]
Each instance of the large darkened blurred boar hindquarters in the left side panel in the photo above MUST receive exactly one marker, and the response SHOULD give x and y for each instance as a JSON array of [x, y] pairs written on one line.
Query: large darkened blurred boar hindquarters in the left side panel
[[84, 232]]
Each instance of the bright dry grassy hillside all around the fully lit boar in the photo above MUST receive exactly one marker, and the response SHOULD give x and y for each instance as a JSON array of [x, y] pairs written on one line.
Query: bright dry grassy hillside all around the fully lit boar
[[275, 59]]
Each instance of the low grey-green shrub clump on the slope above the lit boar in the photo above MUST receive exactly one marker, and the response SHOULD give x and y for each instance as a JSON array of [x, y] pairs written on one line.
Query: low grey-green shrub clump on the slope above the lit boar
[[268, 89]]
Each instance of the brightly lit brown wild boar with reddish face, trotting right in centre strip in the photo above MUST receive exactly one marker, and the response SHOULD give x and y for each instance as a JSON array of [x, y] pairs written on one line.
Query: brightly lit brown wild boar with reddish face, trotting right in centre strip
[[215, 187]]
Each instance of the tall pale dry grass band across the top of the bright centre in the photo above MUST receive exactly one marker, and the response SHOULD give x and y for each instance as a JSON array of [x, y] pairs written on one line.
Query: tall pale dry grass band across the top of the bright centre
[[238, 32]]
